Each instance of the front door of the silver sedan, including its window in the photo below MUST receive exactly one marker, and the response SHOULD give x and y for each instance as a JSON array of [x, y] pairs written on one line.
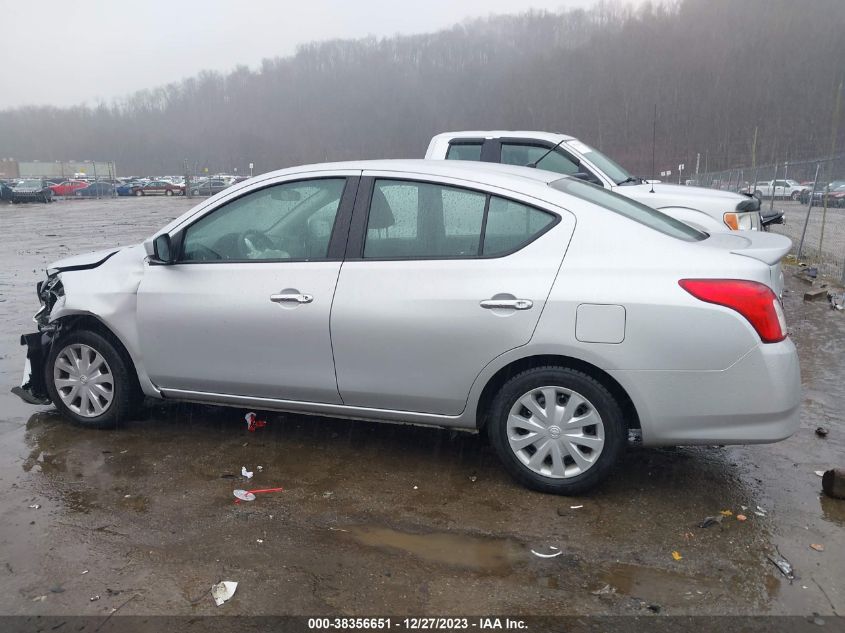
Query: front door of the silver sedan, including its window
[[245, 310]]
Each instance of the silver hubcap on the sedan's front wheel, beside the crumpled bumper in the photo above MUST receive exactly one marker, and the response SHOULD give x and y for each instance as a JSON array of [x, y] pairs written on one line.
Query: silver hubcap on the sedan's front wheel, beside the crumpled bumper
[[83, 380]]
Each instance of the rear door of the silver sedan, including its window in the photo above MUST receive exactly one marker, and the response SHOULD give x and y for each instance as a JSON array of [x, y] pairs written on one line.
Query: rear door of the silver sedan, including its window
[[439, 280]]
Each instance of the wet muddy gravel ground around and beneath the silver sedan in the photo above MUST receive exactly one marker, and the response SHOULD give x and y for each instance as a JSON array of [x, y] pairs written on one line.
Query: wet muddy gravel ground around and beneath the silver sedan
[[384, 519]]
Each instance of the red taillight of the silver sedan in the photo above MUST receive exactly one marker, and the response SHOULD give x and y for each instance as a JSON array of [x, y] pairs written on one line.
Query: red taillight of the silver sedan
[[753, 300]]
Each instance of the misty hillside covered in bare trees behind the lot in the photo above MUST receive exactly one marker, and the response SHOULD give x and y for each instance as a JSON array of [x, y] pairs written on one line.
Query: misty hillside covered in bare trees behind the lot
[[715, 68]]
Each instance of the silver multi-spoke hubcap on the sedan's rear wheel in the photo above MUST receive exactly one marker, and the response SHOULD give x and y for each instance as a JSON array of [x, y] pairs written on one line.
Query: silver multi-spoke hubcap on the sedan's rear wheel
[[555, 432]]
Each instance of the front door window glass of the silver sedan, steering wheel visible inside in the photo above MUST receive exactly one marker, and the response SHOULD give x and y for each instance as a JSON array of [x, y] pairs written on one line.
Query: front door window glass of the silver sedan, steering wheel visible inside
[[290, 221]]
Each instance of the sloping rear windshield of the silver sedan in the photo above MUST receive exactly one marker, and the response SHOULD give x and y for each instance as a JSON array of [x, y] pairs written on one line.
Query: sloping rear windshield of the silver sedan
[[628, 208]]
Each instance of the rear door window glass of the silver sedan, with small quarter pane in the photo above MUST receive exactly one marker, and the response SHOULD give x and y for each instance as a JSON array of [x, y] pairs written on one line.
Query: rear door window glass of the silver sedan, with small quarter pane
[[417, 220]]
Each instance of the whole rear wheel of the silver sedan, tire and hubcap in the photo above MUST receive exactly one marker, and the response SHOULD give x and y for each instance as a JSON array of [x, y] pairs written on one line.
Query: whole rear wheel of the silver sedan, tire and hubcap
[[556, 430]]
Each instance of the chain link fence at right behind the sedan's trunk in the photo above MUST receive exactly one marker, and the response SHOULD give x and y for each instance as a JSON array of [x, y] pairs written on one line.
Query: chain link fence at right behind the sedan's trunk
[[811, 194]]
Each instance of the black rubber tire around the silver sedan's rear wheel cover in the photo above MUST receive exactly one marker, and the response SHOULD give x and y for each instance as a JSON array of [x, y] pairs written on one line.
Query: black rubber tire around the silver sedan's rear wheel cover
[[615, 428]]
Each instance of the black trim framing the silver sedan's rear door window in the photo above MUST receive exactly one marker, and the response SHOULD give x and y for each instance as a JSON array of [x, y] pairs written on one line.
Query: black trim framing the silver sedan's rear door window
[[361, 213]]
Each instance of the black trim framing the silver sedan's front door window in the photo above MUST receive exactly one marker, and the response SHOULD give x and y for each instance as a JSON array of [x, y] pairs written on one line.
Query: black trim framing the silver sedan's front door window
[[337, 240]]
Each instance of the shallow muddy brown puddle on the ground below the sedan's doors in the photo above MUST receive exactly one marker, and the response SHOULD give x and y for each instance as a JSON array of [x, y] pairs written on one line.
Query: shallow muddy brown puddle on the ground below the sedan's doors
[[479, 553]]
